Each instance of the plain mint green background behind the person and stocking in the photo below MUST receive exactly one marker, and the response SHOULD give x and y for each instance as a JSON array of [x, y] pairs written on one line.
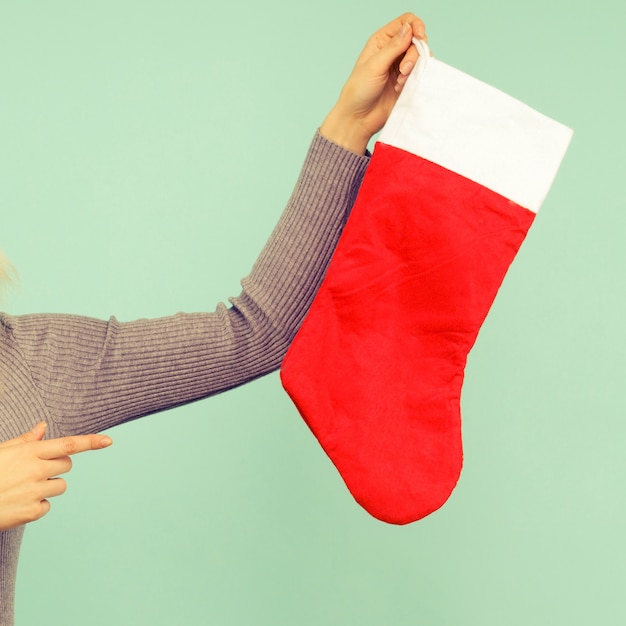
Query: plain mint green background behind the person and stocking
[[146, 150]]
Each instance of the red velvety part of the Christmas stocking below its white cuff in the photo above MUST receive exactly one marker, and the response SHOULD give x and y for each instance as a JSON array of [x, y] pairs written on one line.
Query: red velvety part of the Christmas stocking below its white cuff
[[377, 367]]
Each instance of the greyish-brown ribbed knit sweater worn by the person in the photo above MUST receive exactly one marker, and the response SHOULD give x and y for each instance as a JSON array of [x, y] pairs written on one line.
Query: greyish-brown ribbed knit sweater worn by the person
[[83, 375]]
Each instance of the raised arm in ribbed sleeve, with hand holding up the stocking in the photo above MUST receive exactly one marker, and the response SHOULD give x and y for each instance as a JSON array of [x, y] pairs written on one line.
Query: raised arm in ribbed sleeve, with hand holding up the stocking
[[92, 374]]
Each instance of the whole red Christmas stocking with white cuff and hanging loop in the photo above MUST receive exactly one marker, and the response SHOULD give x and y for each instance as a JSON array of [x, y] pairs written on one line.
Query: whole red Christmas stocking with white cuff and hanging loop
[[376, 370]]
